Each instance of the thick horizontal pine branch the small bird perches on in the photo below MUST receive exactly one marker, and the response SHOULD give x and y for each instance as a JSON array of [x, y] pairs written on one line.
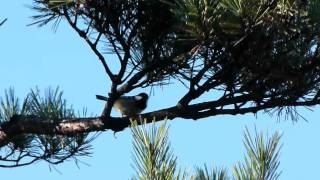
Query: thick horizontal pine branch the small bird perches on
[[33, 125]]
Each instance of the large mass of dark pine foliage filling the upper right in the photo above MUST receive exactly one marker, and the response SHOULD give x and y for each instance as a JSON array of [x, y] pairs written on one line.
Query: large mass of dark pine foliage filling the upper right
[[269, 50]]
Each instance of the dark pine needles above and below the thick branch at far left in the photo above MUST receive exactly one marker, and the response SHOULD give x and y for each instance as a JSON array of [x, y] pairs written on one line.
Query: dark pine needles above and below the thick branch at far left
[[25, 149]]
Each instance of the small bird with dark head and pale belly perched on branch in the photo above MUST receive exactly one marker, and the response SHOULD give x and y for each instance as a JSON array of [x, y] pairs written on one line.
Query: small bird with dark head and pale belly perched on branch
[[129, 105]]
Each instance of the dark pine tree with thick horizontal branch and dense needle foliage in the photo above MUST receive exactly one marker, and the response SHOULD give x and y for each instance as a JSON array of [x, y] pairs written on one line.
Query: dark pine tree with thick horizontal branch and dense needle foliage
[[250, 55]]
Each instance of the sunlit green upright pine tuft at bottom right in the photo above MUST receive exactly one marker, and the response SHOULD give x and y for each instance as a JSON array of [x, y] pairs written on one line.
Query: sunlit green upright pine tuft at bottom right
[[262, 158]]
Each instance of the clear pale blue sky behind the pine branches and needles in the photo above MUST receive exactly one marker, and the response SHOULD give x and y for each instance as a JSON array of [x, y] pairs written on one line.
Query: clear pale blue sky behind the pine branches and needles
[[32, 56]]
